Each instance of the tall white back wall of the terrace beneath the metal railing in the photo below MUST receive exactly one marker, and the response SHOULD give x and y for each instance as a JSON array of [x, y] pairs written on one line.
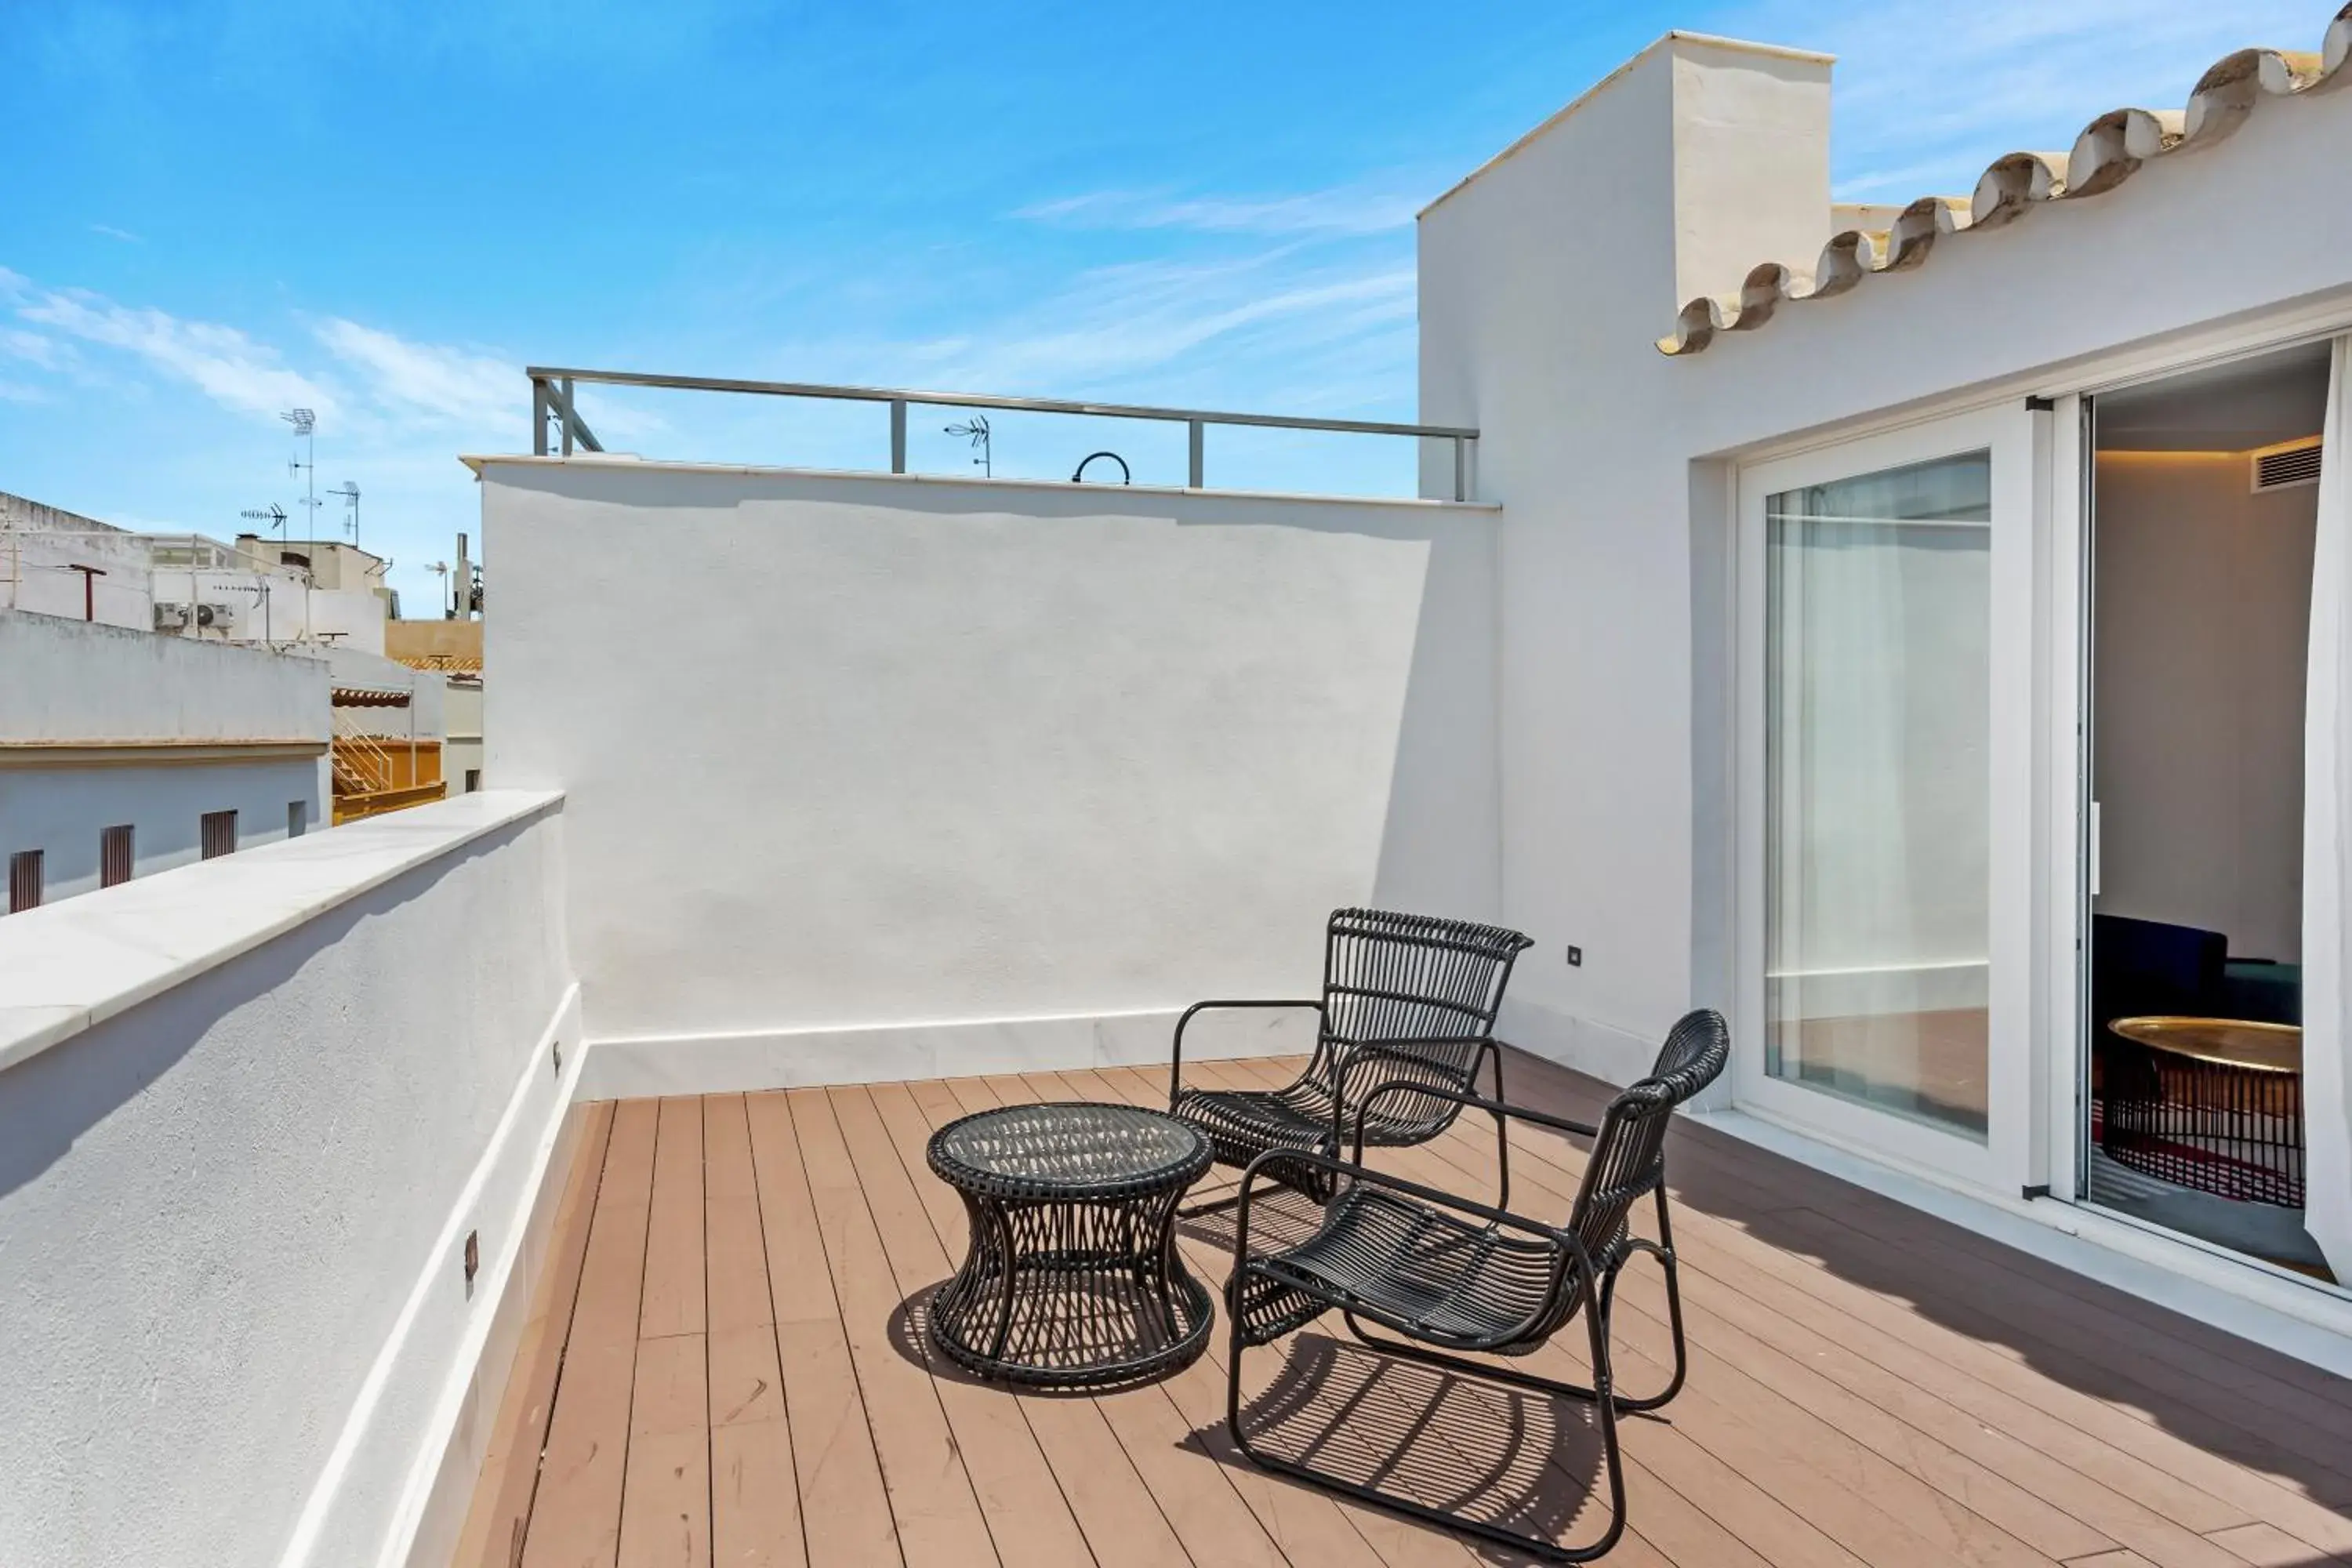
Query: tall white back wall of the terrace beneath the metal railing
[[890, 777]]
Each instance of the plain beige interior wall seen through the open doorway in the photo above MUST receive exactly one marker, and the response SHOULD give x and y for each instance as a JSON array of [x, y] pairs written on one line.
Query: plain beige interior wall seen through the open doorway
[[2205, 603]]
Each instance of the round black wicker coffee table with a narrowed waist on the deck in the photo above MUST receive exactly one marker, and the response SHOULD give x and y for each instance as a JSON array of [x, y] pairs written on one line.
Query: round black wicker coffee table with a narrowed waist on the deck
[[1074, 1275]]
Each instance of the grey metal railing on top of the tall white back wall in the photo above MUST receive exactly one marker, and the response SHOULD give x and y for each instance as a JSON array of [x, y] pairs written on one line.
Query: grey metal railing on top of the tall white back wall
[[554, 406]]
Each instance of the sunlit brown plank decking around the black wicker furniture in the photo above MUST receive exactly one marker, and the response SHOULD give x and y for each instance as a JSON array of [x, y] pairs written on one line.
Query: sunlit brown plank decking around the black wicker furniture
[[726, 1365]]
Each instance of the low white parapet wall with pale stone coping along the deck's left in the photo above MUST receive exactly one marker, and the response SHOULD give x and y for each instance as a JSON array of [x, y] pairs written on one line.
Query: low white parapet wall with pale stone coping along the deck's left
[[250, 1113]]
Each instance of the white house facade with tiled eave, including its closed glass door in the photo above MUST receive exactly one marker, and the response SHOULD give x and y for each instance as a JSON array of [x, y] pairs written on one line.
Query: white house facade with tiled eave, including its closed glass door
[[1685, 789]]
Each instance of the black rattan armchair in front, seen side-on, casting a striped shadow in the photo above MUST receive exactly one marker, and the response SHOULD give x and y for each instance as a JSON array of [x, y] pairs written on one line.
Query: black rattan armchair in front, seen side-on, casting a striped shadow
[[1450, 1278]]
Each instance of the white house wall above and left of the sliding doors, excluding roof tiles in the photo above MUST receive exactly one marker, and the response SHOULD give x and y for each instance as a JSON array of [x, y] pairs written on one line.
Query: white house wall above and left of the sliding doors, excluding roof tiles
[[1544, 286]]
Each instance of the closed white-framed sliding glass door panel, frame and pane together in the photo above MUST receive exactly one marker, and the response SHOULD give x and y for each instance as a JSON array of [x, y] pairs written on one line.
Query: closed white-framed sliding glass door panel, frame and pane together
[[1883, 631]]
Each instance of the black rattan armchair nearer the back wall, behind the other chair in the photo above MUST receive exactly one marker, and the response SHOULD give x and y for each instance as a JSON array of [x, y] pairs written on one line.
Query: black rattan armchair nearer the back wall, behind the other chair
[[1410, 1000]]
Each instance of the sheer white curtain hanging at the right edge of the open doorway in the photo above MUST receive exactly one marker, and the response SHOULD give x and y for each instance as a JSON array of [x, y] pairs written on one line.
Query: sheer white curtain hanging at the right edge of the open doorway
[[2327, 845]]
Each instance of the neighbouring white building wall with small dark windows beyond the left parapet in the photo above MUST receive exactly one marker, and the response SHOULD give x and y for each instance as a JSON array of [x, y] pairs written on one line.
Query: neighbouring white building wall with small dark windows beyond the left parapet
[[81, 683]]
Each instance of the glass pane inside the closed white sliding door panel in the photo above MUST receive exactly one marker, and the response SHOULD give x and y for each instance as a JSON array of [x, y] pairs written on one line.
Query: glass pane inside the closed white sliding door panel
[[1878, 789]]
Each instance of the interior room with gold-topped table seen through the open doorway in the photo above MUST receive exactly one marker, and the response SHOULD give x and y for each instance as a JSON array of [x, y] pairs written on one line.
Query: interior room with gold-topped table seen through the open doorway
[[2203, 598]]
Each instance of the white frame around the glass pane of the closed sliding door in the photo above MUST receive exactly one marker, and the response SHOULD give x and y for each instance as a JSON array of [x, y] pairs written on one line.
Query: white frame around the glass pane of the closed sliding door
[[2022, 779]]
